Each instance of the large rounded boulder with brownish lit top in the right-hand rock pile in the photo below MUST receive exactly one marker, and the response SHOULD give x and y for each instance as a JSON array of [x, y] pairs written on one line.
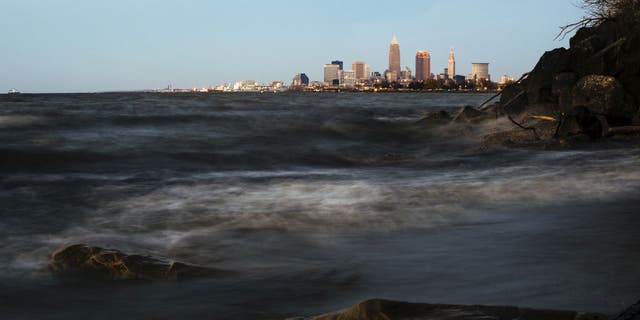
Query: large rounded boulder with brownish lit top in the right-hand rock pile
[[604, 95]]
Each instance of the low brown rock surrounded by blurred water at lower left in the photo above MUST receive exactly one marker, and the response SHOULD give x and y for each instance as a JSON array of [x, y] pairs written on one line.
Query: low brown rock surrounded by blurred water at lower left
[[94, 262]]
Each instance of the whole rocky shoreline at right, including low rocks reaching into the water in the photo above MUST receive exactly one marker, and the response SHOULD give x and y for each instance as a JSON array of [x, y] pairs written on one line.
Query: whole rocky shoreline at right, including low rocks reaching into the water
[[588, 92]]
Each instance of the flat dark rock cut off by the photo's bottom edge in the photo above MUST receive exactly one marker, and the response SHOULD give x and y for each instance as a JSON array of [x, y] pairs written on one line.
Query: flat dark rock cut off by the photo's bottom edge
[[393, 310]]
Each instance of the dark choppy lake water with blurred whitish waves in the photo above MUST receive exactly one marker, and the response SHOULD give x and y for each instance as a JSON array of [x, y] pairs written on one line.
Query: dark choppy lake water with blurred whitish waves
[[315, 201]]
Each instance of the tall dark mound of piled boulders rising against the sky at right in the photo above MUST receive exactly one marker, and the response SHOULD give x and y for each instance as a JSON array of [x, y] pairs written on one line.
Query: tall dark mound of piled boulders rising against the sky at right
[[594, 85]]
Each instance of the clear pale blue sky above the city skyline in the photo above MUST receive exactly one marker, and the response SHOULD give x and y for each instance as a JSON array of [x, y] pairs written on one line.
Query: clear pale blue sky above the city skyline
[[91, 45]]
